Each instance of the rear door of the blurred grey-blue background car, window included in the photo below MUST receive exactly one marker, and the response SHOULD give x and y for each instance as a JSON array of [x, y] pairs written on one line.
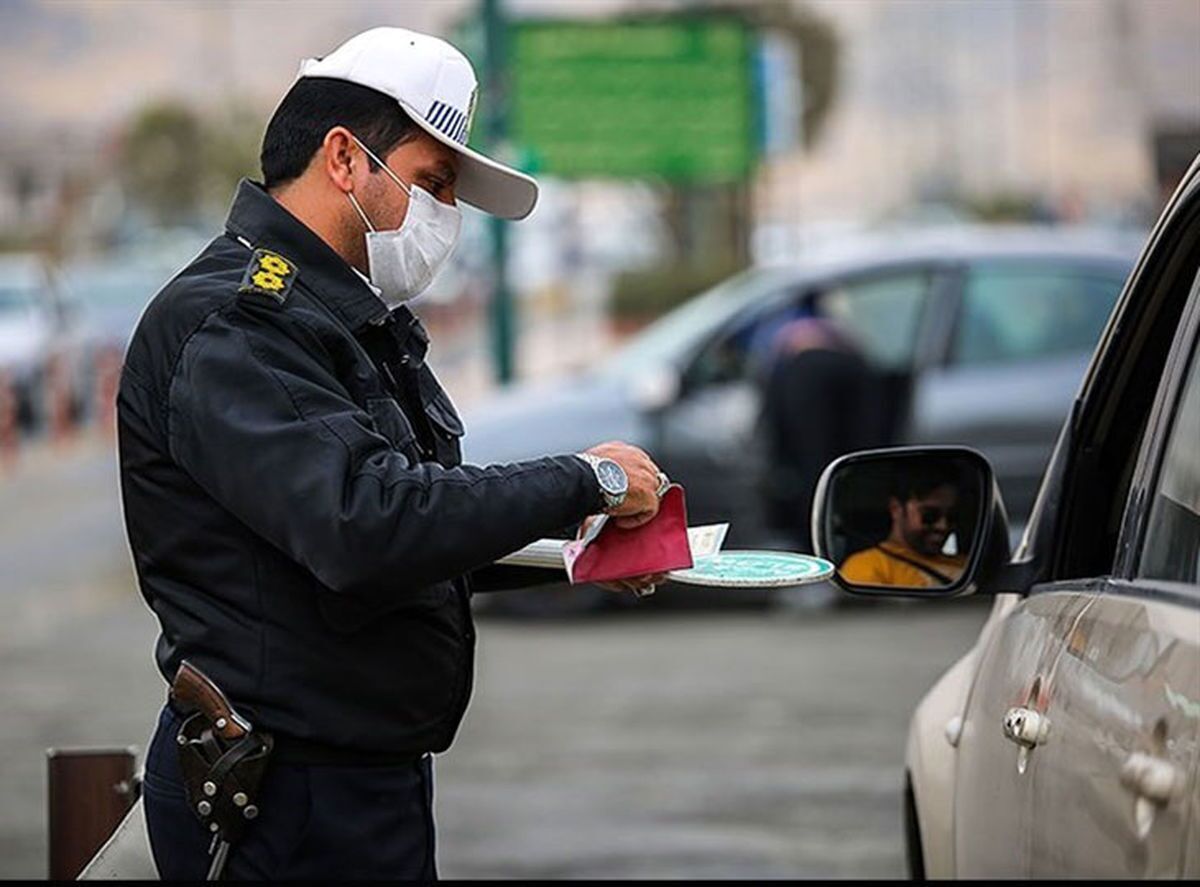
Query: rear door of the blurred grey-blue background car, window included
[[1022, 341]]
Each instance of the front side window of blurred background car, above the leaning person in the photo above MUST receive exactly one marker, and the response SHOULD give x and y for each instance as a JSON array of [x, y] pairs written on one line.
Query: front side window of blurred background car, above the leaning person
[[883, 313]]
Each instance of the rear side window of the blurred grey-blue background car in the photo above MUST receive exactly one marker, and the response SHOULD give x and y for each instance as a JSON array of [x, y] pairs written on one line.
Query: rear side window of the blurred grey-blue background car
[[1025, 313]]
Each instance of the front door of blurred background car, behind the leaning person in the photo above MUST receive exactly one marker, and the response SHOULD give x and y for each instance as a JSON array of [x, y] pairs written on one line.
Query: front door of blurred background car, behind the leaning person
[[710, 441]]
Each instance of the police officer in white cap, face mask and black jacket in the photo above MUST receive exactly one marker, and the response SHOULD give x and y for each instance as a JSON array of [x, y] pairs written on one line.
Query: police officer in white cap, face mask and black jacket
[[299, 517]]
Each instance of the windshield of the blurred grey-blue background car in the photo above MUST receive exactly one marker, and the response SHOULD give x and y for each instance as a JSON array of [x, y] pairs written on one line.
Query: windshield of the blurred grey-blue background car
[[671, 338]]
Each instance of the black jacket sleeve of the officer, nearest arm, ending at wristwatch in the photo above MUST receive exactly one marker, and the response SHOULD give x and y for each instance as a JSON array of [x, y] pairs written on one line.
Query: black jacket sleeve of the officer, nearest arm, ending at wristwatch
[[261, 422]]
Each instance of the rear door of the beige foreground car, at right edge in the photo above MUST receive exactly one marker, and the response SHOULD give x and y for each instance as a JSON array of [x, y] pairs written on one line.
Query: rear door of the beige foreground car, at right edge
[[1118, 787]]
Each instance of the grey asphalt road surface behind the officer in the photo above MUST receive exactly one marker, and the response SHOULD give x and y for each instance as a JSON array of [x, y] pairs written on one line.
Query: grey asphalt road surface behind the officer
[[682, 745]]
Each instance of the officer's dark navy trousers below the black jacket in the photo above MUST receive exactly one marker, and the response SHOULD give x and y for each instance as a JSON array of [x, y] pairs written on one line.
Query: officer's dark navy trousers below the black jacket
[[317, 822]]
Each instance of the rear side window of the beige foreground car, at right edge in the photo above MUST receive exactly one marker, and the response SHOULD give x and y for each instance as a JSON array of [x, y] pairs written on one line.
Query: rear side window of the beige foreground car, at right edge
[[1172, 547]]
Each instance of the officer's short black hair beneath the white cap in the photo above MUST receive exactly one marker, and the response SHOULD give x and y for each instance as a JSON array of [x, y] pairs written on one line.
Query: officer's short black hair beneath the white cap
[[315, 106]]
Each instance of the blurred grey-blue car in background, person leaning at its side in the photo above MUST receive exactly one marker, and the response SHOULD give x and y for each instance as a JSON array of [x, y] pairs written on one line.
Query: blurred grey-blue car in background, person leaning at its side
[[982, 337]]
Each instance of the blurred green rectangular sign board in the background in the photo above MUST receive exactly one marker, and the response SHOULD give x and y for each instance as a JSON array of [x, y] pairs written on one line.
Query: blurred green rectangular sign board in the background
[[670, 98]]
